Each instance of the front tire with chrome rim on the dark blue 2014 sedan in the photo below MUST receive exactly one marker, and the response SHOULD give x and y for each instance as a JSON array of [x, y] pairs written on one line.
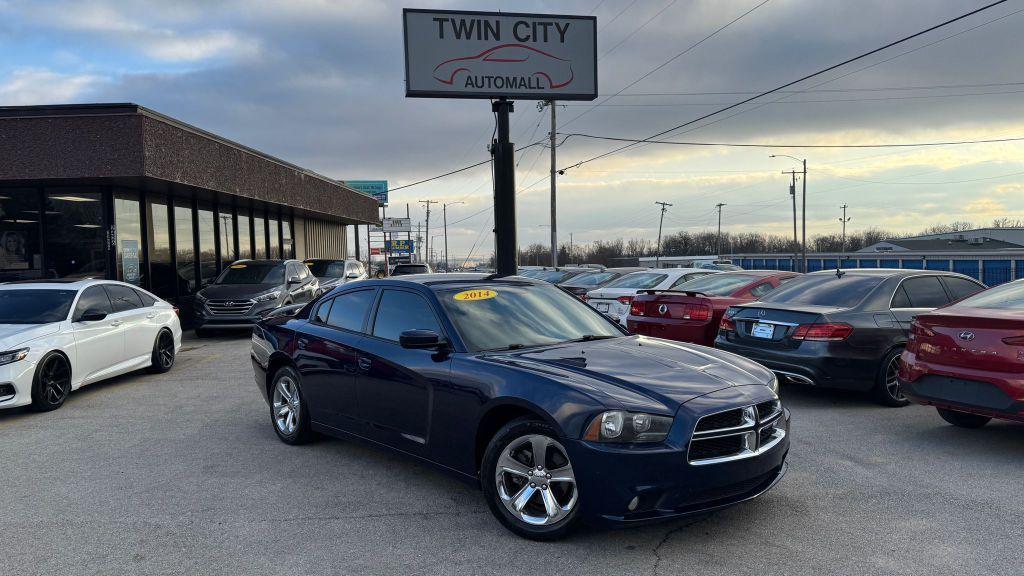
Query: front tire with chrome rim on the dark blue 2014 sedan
[[529, 481]]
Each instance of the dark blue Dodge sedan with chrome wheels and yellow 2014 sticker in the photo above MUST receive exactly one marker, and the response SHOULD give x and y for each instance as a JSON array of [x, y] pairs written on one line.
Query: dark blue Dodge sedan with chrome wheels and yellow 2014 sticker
[[513, 384]]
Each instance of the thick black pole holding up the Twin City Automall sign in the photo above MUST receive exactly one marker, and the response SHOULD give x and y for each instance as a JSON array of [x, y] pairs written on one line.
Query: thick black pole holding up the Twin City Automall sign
[[505, 226]]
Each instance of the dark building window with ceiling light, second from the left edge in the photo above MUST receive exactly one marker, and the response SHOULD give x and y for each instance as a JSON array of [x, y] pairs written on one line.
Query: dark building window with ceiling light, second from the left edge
[[75, 237]]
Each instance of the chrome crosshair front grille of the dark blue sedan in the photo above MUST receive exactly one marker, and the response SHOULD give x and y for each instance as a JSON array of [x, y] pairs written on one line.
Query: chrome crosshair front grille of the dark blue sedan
[[737, 434]]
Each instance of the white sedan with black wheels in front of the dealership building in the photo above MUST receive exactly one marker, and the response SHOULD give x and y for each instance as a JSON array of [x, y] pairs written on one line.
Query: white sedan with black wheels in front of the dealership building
[[57, 337]]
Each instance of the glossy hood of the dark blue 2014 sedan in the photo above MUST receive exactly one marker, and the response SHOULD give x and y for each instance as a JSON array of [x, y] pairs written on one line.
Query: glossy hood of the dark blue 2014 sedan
[[641, 374]]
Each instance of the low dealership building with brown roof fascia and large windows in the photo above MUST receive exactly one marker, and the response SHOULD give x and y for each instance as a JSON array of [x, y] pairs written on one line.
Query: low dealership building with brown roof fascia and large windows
[[121, 192]]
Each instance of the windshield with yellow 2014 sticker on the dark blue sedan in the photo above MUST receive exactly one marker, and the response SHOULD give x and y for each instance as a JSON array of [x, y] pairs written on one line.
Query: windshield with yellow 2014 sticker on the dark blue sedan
[[513, 316]]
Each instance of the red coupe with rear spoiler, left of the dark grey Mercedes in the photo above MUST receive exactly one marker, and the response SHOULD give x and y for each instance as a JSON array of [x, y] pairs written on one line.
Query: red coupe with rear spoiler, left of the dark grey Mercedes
[[692, 312]]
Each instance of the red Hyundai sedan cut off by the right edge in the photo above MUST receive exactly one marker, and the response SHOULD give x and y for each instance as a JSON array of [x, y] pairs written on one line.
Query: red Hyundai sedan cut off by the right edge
[[968, 359]]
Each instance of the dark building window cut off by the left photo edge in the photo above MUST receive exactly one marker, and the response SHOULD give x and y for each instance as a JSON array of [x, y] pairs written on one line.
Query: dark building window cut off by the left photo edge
[[20, 249]]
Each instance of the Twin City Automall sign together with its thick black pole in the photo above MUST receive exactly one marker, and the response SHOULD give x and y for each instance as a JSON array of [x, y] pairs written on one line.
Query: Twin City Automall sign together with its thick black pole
[[501, 57]]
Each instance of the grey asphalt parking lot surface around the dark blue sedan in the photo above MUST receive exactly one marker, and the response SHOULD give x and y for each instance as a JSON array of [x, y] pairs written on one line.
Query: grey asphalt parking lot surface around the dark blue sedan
[[182, 474]]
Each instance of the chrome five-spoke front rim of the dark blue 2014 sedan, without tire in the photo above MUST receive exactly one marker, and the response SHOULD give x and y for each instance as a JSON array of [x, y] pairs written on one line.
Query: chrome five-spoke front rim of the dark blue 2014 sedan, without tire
[[536, 481]]
